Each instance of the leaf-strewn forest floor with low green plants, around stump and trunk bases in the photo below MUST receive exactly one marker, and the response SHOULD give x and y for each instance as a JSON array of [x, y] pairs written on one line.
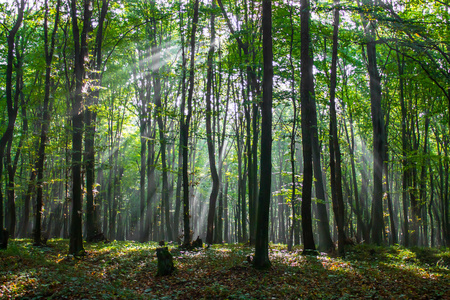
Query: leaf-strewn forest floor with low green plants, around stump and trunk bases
[[126, 270]]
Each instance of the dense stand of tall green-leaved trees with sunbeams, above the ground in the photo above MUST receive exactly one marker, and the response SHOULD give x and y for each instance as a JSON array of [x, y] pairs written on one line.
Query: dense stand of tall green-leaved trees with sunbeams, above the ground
[[131, 82]]
